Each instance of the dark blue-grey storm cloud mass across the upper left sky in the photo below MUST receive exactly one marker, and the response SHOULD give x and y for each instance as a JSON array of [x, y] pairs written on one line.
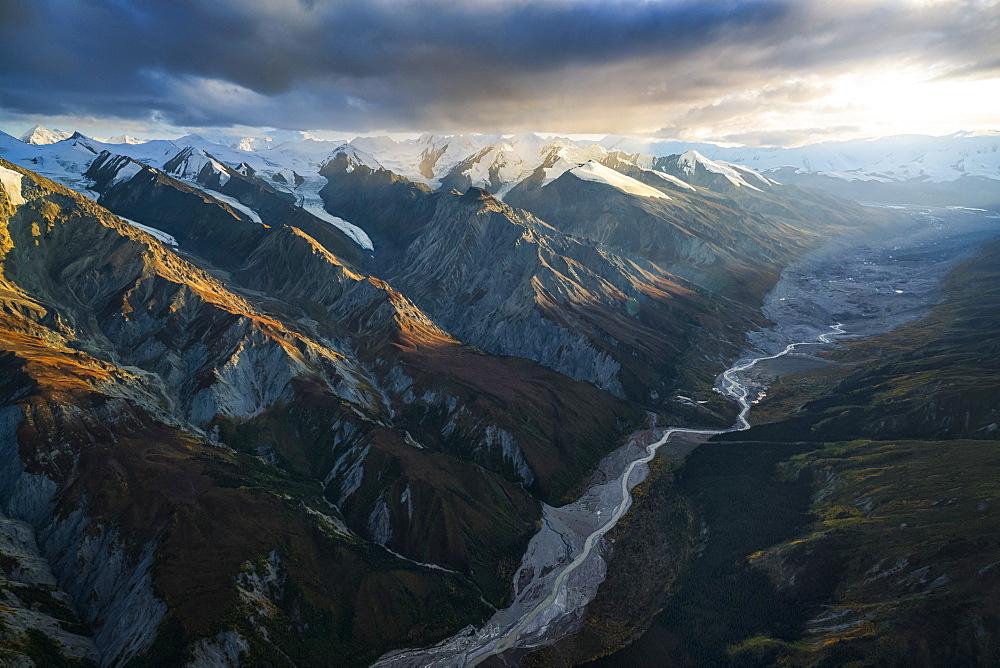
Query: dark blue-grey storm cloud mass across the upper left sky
[[117, 57]]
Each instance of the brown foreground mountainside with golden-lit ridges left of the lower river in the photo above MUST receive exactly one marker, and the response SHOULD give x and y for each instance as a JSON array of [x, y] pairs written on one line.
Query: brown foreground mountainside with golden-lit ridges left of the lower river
[[125, 364]]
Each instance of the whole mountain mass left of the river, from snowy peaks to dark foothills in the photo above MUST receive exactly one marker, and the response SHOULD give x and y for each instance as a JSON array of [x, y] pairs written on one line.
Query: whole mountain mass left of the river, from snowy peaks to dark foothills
[[282, 403]]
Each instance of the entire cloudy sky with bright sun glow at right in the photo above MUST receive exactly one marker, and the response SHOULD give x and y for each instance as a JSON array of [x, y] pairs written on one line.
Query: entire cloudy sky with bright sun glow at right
[[745, 71]]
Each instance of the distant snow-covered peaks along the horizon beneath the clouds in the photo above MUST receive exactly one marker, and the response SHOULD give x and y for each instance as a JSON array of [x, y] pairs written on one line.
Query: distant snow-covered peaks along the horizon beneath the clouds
[[955, 170]]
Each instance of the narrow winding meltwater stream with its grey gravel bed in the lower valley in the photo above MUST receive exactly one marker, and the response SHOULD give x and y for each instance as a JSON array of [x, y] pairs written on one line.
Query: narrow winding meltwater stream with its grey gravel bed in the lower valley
[[546, 606]]
